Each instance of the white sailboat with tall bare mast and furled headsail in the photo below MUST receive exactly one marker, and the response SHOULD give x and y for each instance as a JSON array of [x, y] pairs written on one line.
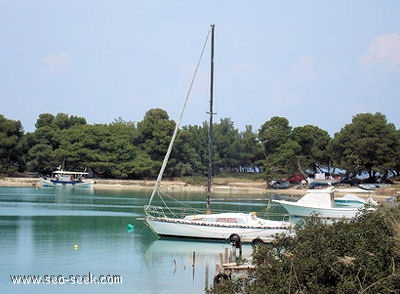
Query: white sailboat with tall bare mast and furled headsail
[[186, 222]]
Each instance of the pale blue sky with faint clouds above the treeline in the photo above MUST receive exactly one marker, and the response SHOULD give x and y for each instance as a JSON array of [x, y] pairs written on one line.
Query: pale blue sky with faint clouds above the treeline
[[313, 62]]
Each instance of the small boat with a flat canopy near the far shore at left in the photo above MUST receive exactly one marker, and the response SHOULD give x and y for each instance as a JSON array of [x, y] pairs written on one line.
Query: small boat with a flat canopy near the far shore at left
[[67, 179]]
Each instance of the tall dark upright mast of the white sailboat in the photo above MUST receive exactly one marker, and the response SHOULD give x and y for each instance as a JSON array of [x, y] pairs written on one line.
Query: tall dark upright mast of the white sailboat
[[210, 130]]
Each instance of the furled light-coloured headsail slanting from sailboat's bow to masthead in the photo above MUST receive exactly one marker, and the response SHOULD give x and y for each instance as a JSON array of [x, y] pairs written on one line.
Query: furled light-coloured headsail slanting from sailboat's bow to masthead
[[159, 178]]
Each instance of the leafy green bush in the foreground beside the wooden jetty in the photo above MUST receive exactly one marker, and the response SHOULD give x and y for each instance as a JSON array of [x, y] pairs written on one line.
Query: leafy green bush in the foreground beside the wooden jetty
[[357, 256]]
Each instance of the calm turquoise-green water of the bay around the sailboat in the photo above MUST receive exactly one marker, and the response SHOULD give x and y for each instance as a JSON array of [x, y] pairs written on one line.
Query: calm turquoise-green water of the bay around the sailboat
[[64, 232]]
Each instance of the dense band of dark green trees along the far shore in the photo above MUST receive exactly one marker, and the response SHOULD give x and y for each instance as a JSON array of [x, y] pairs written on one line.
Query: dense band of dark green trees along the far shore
[[369, 144]]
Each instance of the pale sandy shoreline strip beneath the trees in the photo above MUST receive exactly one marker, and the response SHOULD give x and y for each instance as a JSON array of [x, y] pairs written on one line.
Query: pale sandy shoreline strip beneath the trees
[[220, 186]]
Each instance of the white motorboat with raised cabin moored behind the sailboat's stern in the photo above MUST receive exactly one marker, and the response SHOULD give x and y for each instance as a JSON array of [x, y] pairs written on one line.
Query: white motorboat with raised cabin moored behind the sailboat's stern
[[322, 203]]
